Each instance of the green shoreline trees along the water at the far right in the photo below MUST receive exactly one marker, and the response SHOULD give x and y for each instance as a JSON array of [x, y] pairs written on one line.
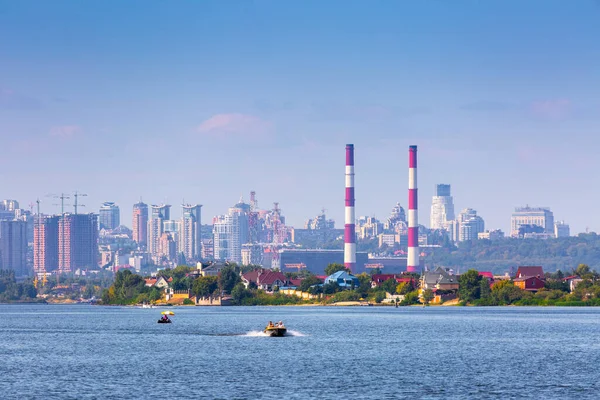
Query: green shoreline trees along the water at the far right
[[475, 289]]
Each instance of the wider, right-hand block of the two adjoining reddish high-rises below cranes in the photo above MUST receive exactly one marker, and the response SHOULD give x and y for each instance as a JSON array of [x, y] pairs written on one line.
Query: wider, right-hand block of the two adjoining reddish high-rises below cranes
[[77, 241]]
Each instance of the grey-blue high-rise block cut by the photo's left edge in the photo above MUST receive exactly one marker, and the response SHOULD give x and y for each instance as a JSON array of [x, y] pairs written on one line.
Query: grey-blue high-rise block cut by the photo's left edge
[[13, 247]]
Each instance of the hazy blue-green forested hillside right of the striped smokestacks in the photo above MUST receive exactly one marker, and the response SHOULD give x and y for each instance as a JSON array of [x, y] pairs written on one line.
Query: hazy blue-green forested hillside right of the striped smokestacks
[[500, 255]]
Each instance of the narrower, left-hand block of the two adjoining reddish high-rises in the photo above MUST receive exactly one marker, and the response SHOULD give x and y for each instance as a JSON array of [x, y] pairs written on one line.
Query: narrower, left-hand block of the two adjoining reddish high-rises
[[45, 244]]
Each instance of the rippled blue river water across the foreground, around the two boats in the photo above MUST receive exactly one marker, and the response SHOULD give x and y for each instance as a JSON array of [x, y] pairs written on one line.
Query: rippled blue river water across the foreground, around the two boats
[[94, 352]]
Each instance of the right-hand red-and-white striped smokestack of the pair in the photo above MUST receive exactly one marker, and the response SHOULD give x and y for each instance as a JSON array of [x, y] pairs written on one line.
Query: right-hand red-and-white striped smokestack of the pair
[[412, 264]]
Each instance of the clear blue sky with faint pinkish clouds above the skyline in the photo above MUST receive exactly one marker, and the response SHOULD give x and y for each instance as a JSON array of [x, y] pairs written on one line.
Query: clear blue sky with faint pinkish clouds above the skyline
[[204, 101]]
